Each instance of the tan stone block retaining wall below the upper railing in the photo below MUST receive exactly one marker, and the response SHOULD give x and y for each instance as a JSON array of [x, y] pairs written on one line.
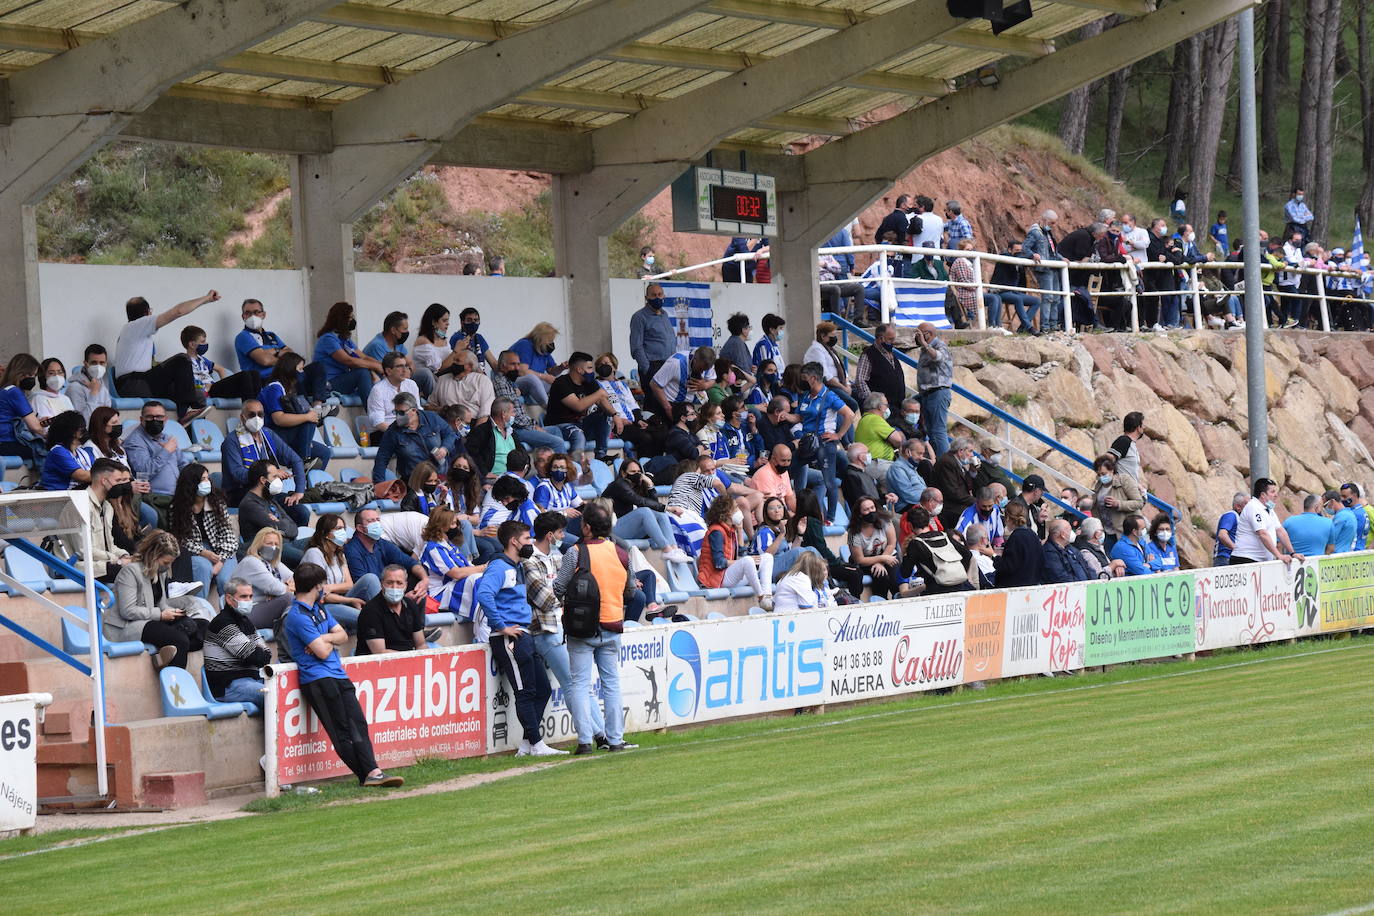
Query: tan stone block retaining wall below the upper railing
[[1193, 393]]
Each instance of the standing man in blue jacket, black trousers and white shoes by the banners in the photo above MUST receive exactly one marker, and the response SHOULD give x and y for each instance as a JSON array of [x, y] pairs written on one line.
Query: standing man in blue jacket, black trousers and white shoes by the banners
[[502, 597]]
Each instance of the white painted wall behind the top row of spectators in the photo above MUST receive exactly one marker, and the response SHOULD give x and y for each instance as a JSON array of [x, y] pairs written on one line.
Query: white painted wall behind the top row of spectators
[[85, 304]]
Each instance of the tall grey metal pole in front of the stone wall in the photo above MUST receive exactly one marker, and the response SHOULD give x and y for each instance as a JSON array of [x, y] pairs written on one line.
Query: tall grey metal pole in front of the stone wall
[[1258, 406]]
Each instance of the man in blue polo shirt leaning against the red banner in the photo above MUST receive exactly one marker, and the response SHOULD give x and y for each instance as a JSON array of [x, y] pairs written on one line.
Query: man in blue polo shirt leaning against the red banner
[[313, 638]]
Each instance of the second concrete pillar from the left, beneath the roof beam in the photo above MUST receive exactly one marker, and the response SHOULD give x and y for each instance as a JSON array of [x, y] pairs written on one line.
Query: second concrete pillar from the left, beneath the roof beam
[[324, 242]]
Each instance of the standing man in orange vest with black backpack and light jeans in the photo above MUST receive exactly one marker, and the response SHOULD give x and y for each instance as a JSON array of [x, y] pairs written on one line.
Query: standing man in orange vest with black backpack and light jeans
[[609, 566]]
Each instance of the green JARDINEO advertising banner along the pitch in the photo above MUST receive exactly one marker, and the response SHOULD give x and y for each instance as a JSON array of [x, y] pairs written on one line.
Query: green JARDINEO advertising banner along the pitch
[[1142, 617]]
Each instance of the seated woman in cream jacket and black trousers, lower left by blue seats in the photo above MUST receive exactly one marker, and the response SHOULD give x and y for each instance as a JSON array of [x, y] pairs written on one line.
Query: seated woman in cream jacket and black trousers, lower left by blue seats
[[145, 610]]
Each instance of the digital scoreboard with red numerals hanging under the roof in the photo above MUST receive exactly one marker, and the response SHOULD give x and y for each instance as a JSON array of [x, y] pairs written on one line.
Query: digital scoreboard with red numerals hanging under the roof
[[723, 203]]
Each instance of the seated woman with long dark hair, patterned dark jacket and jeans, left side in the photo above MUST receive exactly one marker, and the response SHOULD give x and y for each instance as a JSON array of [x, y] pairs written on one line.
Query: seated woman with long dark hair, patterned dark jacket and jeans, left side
[[200, 521]]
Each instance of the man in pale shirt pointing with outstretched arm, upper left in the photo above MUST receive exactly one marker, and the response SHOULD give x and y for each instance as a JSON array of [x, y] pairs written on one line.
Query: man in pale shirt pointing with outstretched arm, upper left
[[135, 376]]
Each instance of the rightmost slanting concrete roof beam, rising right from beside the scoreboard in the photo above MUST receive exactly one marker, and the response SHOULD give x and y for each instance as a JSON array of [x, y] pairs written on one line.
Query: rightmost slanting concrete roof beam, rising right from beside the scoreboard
[[847, 175]]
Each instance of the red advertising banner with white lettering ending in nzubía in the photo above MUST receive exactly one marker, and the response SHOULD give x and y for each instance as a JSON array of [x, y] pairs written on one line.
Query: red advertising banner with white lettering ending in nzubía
[[431, 704]]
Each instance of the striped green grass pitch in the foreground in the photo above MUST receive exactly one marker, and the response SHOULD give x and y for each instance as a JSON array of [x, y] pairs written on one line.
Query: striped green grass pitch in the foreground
[[1235, 785]]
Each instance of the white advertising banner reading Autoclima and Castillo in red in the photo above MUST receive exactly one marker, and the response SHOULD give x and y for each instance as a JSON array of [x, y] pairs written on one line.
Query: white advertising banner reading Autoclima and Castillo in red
[[895, 648]]
